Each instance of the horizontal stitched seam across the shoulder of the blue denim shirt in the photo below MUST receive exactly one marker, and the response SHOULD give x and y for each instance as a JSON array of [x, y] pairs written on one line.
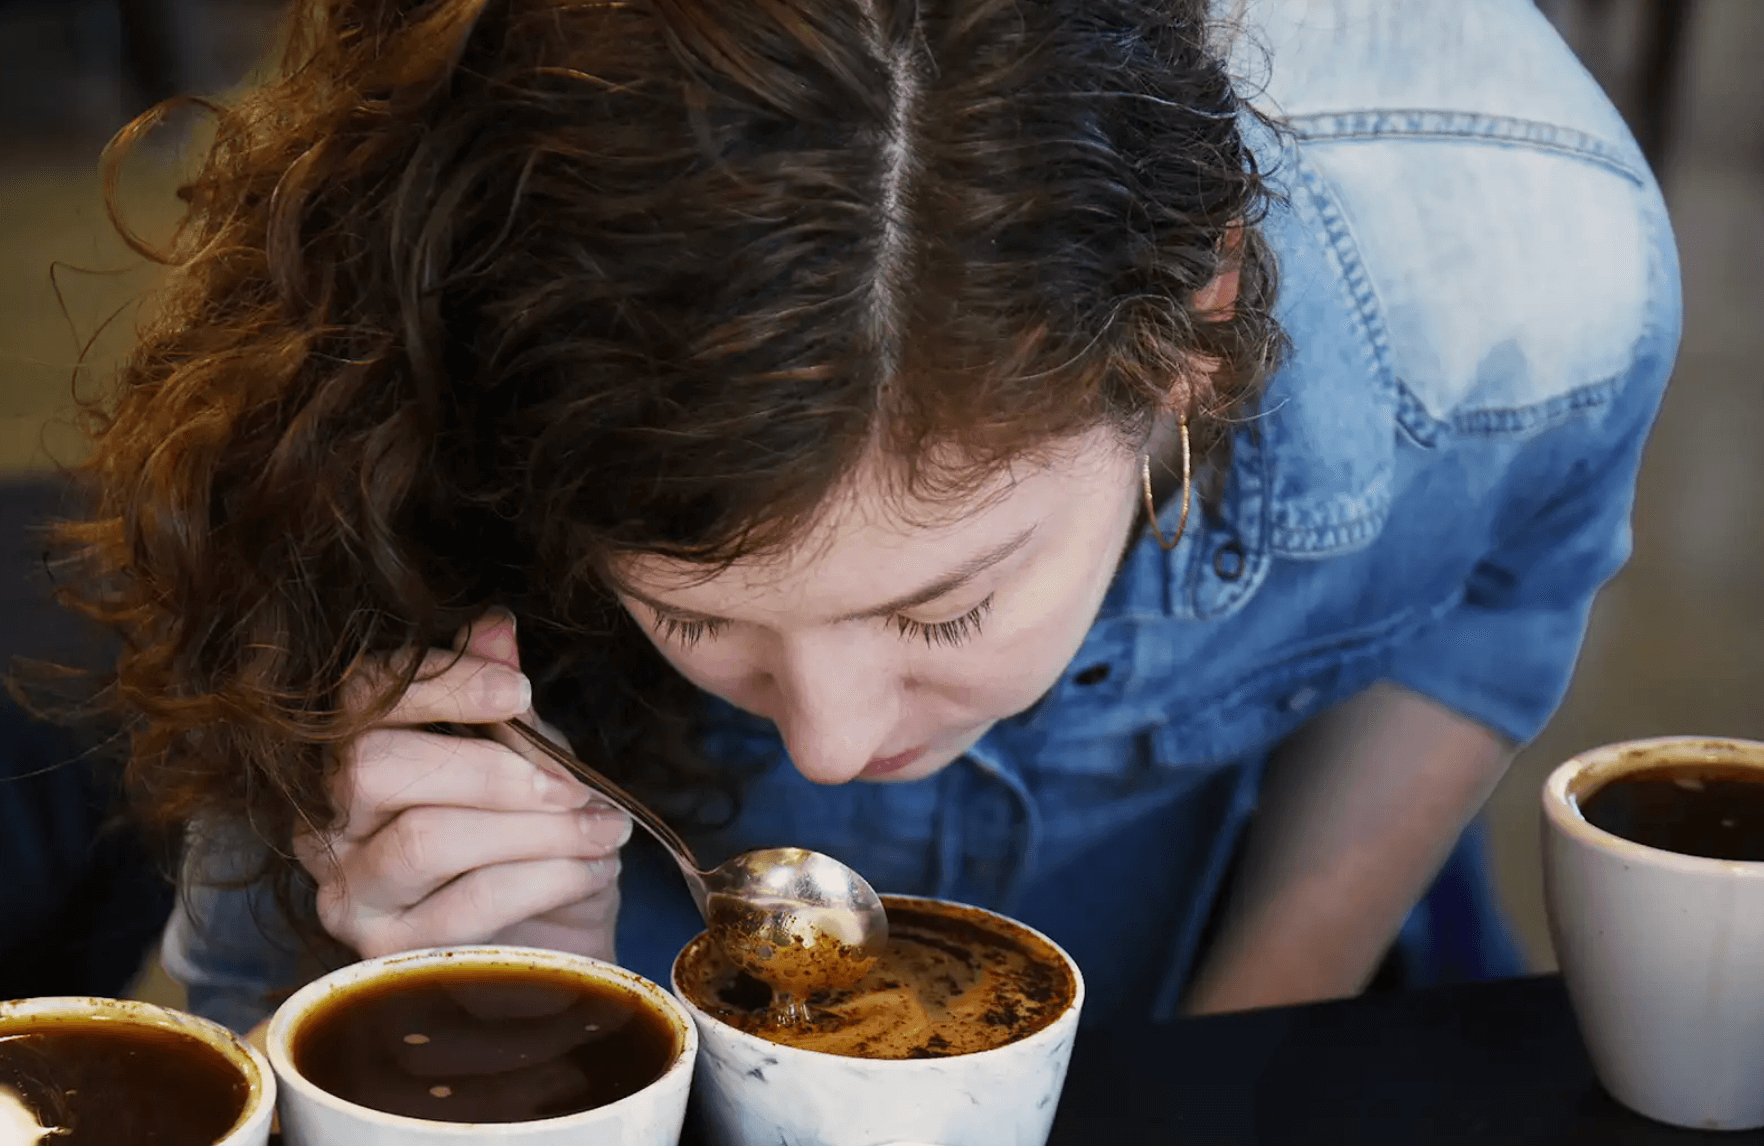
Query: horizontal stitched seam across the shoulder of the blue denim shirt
[[1467, 128]]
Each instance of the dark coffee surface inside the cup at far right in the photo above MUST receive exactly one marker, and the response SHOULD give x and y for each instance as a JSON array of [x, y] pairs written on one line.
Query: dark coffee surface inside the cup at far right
[[1691, 808]]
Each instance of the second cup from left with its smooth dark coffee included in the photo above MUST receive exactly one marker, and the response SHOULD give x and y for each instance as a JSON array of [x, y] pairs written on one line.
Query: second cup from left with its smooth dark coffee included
[[484, 1045]]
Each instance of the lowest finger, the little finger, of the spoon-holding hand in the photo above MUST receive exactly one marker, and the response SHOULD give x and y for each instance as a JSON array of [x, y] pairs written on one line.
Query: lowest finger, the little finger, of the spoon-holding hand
[[481, 904]]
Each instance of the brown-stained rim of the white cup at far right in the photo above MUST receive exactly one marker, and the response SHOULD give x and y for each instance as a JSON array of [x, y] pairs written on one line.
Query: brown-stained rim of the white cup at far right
[[1587, 771]]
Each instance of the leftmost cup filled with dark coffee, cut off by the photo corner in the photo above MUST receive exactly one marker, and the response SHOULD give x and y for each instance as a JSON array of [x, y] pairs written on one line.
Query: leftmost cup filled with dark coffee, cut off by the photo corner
[[117, 1073]]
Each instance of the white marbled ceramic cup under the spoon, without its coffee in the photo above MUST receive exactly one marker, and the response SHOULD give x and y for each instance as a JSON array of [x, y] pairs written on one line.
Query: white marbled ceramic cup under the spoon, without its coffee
[[761, 1094]]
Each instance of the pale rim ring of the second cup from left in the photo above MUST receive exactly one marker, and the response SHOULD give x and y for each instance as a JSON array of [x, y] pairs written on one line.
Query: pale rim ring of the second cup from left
[[477, 955]]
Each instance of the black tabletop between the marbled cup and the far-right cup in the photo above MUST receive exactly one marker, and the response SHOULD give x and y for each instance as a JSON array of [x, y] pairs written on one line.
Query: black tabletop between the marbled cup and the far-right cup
[[1495, 1062]]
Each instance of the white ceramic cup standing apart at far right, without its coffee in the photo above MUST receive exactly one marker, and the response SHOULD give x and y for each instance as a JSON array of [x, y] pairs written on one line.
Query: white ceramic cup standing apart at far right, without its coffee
[[1663, 953]]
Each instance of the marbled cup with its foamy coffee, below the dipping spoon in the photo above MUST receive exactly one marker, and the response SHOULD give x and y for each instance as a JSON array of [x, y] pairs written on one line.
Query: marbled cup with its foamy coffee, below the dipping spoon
[[959, 1038]]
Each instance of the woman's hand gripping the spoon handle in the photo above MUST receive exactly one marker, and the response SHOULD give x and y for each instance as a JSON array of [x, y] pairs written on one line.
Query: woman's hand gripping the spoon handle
[[451, 840]]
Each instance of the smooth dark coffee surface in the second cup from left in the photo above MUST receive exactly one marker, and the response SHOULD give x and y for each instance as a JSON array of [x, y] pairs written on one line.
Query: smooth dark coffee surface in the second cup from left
[[484, 1045]]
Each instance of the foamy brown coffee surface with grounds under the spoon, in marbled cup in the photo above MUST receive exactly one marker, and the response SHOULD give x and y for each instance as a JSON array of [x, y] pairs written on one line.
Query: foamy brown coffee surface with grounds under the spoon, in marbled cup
[[952, 983]]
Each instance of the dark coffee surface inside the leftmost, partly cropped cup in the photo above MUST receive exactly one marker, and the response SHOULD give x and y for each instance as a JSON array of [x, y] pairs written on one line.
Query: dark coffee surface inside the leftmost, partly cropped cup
[[121, 1085]]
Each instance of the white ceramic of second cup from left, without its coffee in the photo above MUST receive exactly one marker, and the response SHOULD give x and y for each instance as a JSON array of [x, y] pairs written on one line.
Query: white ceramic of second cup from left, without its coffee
[[311, 1117]]
